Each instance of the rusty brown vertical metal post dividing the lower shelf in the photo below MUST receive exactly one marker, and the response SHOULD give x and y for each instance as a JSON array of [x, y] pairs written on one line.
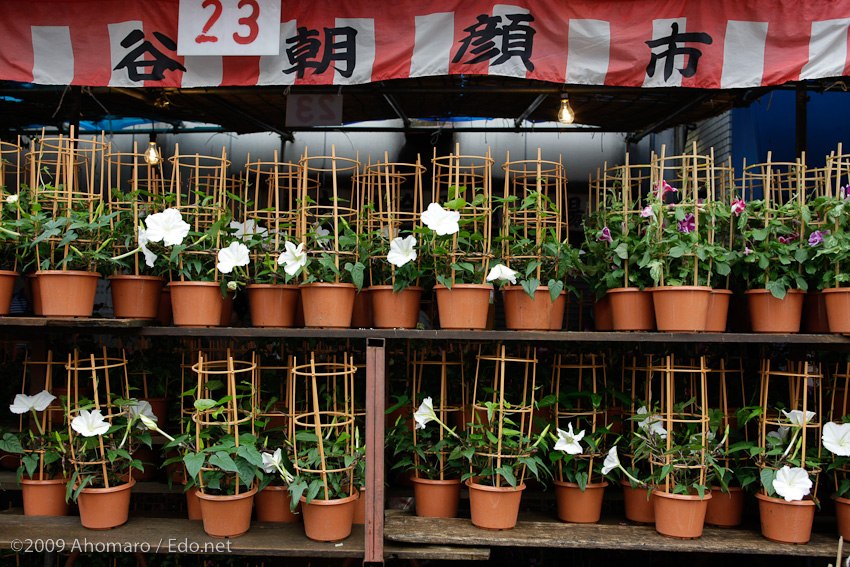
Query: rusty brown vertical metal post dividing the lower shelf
[[375, 408]]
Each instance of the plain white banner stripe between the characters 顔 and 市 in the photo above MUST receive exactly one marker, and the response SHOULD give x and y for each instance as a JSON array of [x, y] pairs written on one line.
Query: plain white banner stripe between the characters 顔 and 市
[[588, 52]]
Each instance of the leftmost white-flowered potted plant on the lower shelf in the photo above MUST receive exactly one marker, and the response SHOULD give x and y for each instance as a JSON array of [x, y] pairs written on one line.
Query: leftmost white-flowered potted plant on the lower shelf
[[42, 473]]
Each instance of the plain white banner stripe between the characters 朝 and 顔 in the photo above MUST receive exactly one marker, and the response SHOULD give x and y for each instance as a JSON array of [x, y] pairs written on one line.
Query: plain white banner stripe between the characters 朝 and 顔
[[432, 49]]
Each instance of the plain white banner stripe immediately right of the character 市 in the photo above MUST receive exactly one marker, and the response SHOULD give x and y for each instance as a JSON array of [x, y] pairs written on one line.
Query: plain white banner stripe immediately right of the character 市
[[743, 54]]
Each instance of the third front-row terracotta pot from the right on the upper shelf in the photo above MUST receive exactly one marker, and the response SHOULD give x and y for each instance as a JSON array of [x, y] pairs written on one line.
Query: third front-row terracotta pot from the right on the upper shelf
[[680, 308]]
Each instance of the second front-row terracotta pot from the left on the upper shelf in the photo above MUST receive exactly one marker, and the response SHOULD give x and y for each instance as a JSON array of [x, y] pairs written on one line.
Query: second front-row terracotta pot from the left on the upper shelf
[[67, 293]]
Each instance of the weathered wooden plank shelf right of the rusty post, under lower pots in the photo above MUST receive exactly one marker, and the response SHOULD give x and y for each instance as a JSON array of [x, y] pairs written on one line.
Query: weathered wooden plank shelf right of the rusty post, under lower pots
[[539, 530]]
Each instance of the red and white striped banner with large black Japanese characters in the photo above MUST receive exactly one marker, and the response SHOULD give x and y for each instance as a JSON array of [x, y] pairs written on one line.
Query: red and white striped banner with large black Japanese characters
[[649, 43]]
